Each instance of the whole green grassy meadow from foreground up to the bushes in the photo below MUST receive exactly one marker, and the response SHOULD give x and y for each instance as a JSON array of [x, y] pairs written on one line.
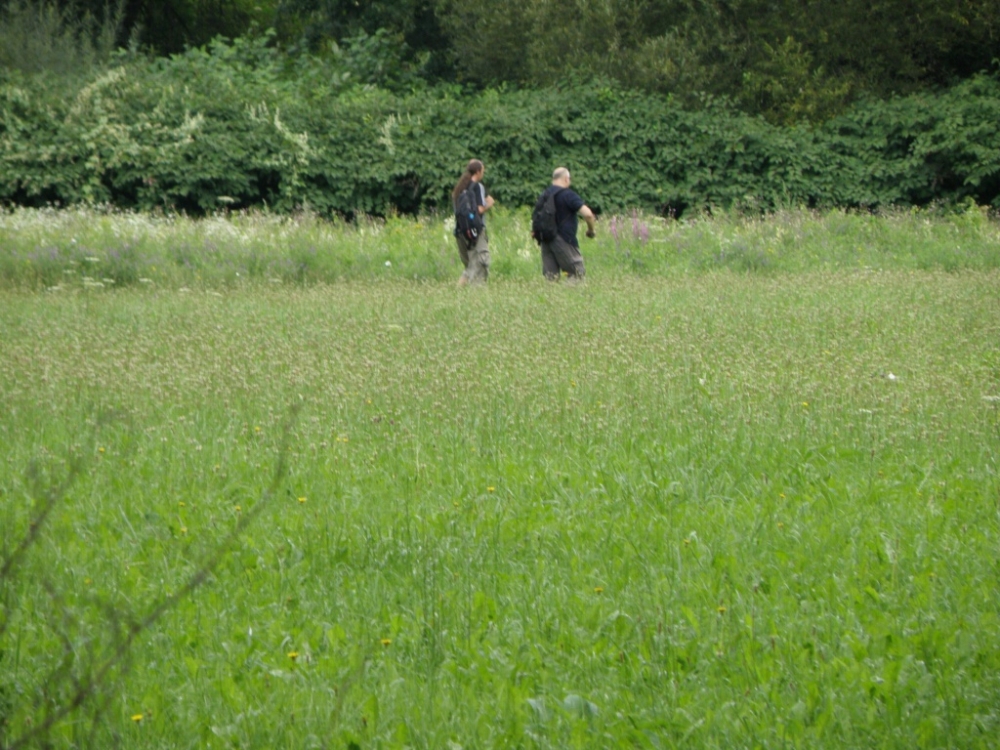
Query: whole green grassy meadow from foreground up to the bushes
[[682, 504]]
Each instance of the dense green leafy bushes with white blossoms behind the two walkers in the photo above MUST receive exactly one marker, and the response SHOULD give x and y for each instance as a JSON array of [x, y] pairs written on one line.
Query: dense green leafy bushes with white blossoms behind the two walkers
[[234, 127]]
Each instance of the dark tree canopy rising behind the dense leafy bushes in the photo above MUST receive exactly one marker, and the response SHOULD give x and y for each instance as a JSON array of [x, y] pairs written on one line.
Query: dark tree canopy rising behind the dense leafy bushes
[[789, 60]]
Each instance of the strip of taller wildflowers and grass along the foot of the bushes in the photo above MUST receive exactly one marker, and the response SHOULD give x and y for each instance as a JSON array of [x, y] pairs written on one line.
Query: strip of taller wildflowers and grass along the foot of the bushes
[[72, 249]]
